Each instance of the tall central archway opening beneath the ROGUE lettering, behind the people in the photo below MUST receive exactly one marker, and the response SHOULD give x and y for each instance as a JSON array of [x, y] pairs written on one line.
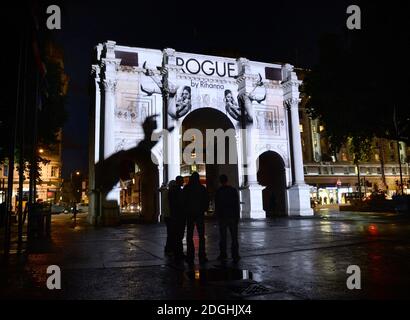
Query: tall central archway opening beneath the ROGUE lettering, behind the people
[[201, 120]]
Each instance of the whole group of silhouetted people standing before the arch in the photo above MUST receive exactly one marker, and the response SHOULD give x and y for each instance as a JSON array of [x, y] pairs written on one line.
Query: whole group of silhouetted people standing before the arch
[[184, 207]]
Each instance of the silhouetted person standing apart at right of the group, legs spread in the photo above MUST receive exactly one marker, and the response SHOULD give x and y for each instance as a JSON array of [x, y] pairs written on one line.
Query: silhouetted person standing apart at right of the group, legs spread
[[227, 212]]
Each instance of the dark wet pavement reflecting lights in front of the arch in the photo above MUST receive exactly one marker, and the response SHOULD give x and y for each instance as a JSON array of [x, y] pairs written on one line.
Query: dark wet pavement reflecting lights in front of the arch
[[282, 258]]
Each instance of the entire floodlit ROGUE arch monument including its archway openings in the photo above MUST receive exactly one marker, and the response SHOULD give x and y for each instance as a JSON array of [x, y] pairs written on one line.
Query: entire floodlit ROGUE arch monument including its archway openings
[[255, 104]]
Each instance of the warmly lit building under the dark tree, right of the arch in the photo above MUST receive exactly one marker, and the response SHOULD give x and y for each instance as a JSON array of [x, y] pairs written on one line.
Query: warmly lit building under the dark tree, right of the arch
[[334, 178]]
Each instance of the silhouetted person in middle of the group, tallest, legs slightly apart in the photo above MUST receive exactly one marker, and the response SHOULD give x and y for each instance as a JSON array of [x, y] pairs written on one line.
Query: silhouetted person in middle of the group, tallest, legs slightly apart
[[196, 202]]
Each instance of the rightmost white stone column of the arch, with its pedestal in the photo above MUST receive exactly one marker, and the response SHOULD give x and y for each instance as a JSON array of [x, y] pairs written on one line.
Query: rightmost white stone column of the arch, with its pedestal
[[298, 193]]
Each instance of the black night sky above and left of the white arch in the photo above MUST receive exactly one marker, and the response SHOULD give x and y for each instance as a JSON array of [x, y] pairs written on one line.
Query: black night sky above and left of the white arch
[[280, 31]]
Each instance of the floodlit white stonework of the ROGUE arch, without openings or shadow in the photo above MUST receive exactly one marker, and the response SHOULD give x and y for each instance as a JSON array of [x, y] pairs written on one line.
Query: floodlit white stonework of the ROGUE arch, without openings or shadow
[[132, 83]]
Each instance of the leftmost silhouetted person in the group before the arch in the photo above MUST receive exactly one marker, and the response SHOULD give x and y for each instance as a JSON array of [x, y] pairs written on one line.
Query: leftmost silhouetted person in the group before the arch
[[178, 216]]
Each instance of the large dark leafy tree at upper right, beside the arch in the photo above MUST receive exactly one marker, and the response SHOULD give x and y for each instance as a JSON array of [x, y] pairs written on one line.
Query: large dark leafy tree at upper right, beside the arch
[[362, 76]]
